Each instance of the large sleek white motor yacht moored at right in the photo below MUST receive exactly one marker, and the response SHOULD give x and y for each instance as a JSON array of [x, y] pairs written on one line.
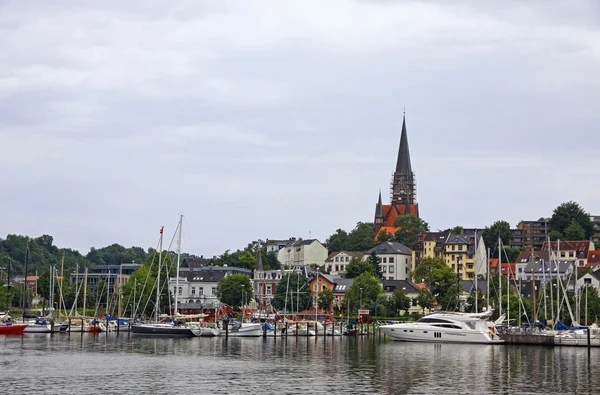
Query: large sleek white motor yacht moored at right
[[445, 328]]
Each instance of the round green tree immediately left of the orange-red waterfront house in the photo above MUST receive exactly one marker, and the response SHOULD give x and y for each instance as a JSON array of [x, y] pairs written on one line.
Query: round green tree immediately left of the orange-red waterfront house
[[292, 293]]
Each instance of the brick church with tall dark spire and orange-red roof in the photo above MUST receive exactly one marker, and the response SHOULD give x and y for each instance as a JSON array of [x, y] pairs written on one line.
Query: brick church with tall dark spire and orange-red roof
[[403, 190]]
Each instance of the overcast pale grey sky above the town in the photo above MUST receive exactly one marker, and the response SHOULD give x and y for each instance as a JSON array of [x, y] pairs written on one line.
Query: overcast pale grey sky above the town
[[277, 119]]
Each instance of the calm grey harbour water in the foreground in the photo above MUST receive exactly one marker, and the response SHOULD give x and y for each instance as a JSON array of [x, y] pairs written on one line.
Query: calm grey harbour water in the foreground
[[125, 364]]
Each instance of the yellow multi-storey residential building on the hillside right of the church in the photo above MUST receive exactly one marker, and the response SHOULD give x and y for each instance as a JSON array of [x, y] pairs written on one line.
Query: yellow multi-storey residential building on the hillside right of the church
[[459, 254]]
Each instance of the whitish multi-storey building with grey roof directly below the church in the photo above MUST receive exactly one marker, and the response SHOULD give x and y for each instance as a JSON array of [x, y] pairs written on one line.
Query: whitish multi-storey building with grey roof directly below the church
[[395, 260]]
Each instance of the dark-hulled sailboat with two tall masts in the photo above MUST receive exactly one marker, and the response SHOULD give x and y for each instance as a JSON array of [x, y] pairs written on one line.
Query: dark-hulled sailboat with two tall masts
[[165, 328]]
